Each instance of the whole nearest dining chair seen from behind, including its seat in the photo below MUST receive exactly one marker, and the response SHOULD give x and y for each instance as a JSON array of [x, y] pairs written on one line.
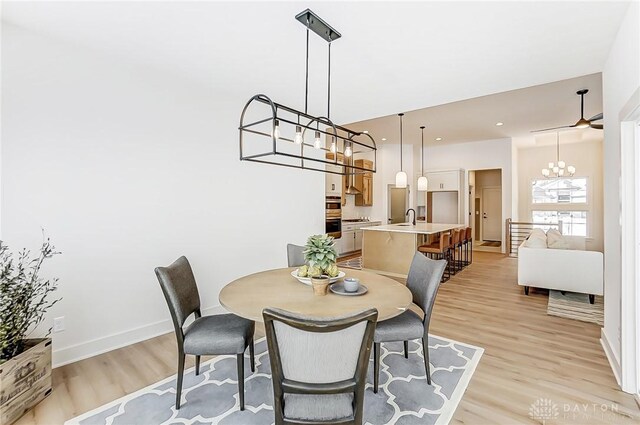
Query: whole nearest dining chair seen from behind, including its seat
[[319, 366]]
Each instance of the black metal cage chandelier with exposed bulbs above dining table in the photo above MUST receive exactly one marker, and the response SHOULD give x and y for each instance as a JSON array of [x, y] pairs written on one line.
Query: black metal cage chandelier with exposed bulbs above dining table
[[276, 134]]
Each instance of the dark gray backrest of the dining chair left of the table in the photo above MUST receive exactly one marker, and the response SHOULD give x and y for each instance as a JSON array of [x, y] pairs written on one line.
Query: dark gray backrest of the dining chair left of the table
[[180, 290]]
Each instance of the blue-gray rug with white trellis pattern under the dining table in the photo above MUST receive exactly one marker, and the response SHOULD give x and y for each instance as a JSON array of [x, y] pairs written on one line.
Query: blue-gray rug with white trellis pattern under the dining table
[[212, 397]]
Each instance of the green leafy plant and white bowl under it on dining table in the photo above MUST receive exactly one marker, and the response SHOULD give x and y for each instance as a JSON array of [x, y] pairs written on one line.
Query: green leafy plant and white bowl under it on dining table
[[320, 257]]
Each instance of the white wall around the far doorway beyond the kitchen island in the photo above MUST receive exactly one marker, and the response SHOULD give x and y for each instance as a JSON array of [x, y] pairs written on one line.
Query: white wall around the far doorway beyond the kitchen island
[[483, 155]]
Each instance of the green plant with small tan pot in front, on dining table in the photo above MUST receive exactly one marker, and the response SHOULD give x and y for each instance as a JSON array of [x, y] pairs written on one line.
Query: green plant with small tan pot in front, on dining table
[[320, 257]]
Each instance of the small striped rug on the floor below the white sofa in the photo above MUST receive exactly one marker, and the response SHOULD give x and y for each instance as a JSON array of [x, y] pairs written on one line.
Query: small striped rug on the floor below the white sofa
[[576, 306]]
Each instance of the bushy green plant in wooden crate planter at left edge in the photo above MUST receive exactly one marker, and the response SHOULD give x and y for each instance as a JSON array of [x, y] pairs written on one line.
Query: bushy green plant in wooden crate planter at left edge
[[25, 363]]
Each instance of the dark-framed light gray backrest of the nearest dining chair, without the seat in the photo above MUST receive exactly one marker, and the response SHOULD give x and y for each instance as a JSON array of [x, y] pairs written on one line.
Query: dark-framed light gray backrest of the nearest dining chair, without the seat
[[311, 355]]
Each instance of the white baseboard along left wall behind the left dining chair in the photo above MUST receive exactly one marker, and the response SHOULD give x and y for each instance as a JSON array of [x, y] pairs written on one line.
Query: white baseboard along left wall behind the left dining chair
[[102, 345]]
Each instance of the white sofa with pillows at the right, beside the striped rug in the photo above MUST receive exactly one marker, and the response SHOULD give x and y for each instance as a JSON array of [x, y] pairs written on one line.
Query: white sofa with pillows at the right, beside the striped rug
[[570, 269]]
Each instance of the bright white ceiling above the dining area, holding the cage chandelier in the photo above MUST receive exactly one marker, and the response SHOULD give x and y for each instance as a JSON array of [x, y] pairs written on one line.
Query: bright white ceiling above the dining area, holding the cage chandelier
[[394, 56]]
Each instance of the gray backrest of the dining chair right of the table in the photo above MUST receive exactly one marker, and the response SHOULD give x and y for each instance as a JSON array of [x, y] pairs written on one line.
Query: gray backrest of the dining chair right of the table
[[423, 281]]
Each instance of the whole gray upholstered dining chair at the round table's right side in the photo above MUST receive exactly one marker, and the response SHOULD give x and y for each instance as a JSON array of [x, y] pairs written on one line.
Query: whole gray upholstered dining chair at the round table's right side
[[423, 281]]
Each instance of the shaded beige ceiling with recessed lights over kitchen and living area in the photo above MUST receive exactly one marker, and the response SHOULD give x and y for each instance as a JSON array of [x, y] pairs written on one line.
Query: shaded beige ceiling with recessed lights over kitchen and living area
[[520, 111]]
